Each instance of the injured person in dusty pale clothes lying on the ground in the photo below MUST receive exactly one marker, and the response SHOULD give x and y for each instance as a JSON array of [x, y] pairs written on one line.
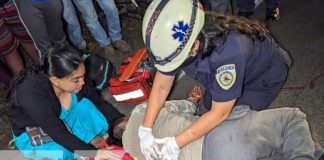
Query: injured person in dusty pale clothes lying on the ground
[[245, 135]]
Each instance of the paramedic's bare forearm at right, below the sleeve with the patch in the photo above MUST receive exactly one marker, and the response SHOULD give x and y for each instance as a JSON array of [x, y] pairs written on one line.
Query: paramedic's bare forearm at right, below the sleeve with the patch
[[211, 119]]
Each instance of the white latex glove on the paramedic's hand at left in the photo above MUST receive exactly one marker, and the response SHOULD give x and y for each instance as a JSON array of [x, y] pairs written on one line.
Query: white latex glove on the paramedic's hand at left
[[149, 147]]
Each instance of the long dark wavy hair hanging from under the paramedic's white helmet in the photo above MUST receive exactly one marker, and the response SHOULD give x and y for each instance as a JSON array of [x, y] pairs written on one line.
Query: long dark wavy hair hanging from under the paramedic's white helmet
[[217, 26]]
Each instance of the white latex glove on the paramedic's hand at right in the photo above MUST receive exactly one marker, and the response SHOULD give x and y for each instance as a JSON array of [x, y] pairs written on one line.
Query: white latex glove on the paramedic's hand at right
[[170, 149]]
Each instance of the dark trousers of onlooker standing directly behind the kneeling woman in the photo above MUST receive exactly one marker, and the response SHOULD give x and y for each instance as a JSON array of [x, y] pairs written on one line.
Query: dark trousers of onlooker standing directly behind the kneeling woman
[[44, 23]]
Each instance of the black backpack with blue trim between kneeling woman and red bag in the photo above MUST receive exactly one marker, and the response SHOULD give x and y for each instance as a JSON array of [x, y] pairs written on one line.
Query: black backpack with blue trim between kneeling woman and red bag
[[99, 70]]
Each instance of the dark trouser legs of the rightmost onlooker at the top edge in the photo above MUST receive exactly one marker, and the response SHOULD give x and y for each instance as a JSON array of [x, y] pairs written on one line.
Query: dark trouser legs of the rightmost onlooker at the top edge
[[249, 5]]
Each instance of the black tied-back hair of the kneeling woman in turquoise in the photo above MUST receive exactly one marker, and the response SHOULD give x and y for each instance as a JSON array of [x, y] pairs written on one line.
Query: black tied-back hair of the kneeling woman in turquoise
[[59, 62]]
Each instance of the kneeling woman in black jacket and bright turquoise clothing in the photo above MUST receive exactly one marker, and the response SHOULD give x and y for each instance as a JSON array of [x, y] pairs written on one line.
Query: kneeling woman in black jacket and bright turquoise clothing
[[57, 99]]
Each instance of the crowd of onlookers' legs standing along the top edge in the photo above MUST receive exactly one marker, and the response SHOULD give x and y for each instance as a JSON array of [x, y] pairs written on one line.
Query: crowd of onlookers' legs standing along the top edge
[[38, 26]]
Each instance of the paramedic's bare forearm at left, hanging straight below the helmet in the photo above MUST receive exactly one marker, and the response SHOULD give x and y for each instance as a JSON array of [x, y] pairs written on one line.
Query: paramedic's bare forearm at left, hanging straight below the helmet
[[160, 90]]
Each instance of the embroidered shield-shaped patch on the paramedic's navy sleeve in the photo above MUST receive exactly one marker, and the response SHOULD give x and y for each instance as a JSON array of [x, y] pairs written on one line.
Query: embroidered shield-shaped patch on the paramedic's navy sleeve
[[226, 76]]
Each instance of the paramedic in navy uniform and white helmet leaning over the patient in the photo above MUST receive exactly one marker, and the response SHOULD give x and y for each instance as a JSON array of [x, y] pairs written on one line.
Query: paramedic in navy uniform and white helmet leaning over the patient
[[236, 60]]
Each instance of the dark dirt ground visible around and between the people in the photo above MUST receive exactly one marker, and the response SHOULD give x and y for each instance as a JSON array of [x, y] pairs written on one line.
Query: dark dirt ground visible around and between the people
[[299, 30]]
